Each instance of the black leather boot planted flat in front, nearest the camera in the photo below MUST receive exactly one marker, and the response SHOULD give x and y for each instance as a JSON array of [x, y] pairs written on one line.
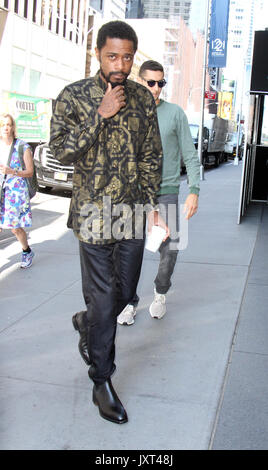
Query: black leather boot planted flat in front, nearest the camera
[[110, 407]]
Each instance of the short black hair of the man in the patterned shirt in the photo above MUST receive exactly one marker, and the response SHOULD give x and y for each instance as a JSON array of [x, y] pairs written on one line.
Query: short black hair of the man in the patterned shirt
[[116, 29]]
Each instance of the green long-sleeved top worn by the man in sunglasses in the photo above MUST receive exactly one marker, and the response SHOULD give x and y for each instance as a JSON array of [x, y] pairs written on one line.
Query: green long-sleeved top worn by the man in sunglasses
[[177, 143]]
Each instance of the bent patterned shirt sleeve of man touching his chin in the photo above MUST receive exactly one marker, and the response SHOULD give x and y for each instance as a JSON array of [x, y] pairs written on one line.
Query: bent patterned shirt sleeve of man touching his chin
[[71, 137]]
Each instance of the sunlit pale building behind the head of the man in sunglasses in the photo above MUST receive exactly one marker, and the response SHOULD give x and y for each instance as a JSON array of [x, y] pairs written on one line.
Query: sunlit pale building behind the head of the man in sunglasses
[[181, 55]]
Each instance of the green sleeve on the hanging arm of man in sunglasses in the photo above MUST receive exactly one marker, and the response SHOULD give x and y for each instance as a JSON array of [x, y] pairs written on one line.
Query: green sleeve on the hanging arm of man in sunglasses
[[188, 153]]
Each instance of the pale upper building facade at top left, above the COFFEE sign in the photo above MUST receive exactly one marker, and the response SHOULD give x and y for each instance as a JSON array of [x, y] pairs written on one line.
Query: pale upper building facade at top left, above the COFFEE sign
[[38, 38]]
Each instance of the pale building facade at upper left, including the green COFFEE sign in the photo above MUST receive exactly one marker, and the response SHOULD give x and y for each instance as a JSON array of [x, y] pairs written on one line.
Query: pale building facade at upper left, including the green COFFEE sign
[[43, 48]]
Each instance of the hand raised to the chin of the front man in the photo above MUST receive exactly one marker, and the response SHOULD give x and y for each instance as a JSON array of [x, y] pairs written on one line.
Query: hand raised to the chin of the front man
[[113, 100]]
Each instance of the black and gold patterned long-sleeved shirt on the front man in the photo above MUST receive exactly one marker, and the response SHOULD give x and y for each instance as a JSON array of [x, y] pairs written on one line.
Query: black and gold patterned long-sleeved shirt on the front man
[[117, 161]]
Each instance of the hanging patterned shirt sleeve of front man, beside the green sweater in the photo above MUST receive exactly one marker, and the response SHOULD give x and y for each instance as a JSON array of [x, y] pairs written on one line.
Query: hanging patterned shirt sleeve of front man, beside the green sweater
[[150, 161]]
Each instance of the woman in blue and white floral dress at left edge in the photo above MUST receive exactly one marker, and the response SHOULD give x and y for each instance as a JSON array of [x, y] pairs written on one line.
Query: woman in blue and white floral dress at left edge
[[15, 207]]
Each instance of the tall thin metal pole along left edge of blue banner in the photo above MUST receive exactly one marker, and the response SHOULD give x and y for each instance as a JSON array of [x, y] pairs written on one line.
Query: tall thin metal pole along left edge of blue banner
[[201, 125]]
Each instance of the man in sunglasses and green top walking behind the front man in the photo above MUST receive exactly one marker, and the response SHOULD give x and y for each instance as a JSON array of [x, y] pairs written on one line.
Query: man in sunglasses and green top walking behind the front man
[[177, 143]]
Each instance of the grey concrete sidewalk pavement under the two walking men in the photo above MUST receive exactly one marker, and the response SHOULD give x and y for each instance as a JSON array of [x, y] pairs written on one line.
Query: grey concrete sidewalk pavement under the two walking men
[[195, 380]]
